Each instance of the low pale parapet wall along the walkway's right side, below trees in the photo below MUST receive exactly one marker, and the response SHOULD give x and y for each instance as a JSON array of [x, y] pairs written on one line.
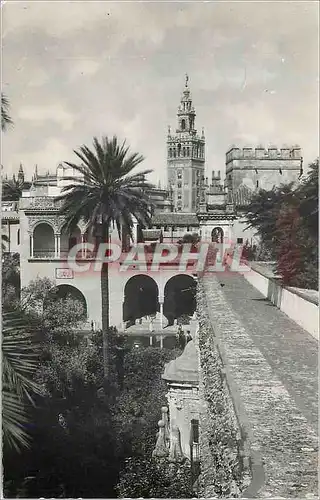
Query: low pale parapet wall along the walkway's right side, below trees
[[302, 306]]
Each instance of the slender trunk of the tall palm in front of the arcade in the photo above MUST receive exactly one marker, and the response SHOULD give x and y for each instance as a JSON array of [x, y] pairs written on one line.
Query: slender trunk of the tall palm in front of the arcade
[[104, 282]]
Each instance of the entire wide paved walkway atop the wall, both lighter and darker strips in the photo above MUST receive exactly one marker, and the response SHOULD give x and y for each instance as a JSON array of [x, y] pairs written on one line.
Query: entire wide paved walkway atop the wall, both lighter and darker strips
[[272, 365]]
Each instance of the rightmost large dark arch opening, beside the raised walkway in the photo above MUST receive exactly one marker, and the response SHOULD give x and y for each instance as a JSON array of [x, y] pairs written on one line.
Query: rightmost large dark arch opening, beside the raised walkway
[[179, 297]]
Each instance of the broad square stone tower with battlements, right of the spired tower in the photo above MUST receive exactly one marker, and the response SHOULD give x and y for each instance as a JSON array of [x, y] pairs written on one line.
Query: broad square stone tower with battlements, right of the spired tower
[[260, 168]]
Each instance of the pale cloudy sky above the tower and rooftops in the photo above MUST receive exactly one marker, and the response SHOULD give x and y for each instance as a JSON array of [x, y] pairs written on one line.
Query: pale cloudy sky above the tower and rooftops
[[76, 70]]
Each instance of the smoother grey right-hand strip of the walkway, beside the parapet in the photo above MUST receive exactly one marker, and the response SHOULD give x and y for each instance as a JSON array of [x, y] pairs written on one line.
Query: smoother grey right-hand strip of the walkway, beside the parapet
[[290, 351]]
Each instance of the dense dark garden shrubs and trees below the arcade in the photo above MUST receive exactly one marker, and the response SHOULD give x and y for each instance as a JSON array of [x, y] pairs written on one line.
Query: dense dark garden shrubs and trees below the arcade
[[81, 430]]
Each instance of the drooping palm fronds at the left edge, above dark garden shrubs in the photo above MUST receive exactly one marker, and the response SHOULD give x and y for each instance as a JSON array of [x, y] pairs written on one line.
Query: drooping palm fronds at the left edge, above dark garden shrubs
[[19, 363]]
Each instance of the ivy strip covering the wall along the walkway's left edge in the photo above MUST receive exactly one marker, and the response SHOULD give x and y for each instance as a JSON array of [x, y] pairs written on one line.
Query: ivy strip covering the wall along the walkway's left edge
[[222, 471]]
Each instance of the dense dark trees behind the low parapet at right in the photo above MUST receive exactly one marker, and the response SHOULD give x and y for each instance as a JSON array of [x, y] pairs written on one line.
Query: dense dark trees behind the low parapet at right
[[286, 219]]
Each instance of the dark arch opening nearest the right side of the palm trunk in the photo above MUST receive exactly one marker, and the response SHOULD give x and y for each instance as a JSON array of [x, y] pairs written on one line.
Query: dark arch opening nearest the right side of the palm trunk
[[140, 298]]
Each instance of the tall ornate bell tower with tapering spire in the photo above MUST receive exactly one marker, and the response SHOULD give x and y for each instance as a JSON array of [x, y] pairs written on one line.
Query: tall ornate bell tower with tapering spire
[[186, 157]]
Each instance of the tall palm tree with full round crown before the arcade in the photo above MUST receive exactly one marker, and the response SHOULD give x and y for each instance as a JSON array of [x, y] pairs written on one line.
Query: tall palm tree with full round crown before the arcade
[[110, 195]]
